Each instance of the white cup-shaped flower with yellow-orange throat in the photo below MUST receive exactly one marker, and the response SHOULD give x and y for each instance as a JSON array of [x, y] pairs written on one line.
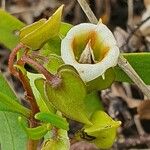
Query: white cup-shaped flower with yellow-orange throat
[[91, 49]]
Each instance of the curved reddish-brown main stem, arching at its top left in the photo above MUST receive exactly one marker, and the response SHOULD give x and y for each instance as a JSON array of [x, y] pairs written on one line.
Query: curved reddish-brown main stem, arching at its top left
[[31, 145]]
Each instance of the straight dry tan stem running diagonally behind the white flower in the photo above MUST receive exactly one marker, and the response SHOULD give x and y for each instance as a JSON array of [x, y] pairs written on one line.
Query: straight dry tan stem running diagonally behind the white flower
[[122, 62]]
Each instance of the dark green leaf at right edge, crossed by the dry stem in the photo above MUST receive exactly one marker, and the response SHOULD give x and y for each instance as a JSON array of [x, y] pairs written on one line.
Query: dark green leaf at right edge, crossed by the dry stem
[[140, 62]]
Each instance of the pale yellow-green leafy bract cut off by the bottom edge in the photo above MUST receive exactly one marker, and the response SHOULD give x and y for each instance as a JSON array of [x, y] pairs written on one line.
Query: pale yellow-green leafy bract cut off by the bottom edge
[[61, 142]]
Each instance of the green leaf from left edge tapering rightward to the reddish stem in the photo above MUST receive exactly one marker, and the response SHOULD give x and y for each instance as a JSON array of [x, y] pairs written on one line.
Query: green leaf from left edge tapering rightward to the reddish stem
[[8, 104]]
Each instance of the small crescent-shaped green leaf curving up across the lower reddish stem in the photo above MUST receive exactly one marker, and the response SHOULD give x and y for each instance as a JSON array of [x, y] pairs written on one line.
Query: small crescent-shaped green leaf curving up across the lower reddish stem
[[35, 133]]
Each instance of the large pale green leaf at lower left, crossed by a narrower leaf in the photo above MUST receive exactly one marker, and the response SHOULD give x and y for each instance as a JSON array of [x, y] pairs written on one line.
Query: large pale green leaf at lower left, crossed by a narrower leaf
[[12, 137]]
